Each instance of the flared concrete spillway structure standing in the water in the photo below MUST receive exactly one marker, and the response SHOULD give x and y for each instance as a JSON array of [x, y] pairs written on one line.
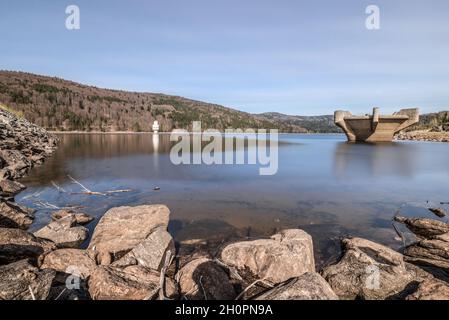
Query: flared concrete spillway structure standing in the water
[[375, 127]]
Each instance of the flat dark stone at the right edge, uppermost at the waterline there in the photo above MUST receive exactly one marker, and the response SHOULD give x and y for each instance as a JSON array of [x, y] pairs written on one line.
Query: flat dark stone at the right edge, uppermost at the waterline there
[[422, 227]]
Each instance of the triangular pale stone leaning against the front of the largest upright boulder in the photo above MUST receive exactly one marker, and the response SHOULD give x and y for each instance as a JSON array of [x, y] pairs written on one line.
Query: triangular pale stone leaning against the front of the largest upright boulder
[[151, 252]]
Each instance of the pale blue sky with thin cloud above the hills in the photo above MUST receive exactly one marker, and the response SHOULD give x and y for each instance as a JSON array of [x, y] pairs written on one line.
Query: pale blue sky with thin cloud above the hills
[[290, 56]]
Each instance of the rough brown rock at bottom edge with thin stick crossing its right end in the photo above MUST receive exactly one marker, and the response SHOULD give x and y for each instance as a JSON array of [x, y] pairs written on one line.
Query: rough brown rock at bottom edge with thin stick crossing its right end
[[130, 283]]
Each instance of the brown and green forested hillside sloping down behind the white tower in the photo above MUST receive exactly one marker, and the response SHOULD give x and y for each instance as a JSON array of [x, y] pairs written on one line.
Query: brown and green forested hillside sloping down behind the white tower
[[62, 105]]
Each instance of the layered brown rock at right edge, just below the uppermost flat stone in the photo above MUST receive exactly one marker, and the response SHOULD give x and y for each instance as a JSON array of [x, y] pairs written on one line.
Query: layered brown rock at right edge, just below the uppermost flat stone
[[430, 252]]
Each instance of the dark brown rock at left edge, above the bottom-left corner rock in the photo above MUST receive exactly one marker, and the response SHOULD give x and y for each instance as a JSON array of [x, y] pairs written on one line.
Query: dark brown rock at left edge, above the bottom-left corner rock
[[16, 244]]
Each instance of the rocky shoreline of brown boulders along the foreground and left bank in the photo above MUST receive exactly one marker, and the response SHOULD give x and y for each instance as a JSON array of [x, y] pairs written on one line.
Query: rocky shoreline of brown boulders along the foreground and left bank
[[132, 256]]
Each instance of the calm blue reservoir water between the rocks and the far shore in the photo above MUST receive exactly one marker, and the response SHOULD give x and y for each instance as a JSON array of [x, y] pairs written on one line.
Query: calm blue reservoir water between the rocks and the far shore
[[324, 185]]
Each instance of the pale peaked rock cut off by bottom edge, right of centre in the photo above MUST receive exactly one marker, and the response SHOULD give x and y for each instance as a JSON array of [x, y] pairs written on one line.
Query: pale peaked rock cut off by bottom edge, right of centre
[[309, 286]]
